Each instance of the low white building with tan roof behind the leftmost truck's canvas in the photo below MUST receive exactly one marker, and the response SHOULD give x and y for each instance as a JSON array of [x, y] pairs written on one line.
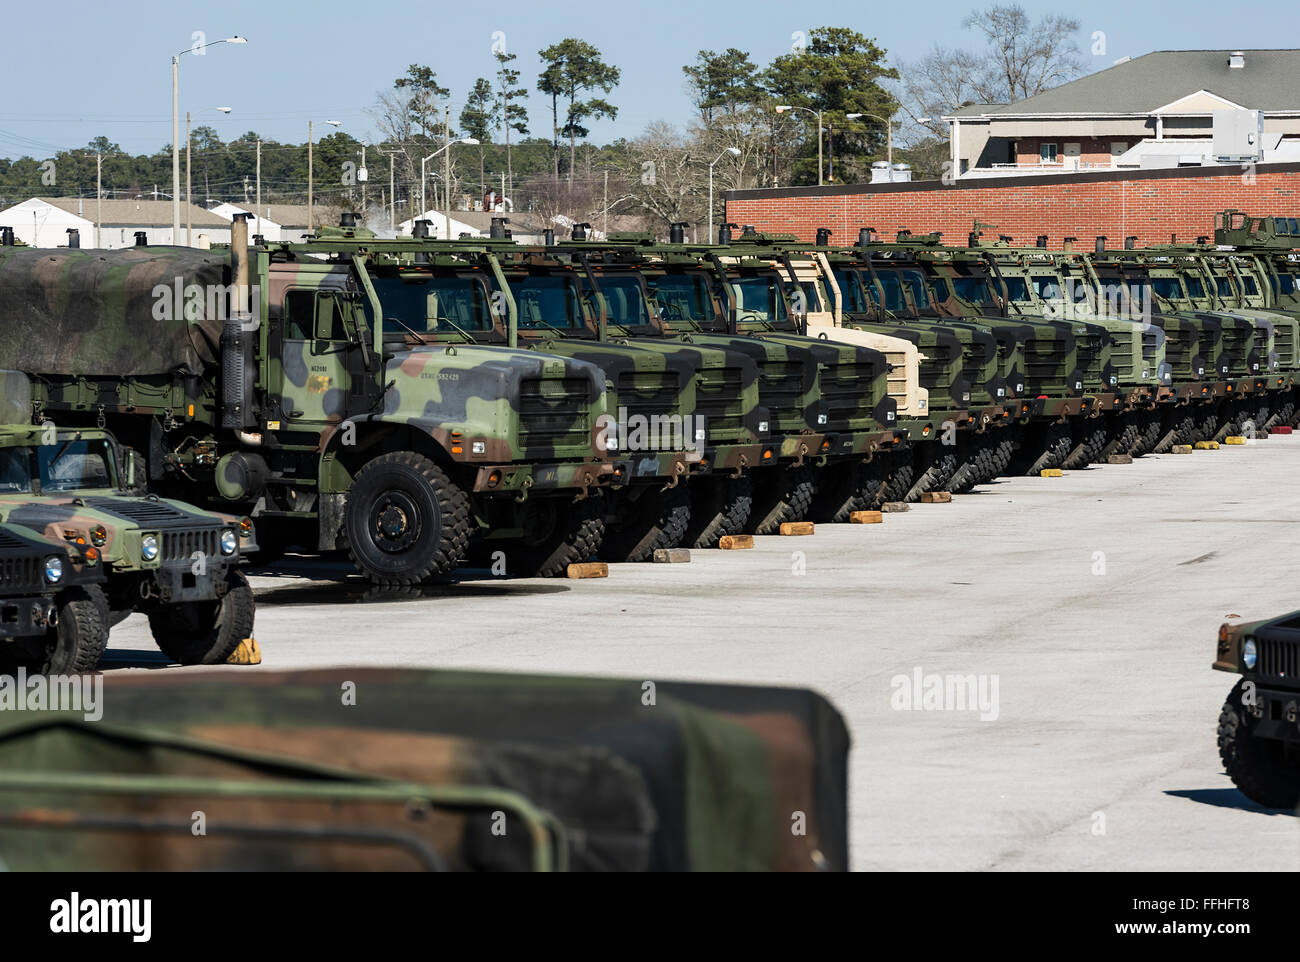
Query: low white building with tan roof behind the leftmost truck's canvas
[[111, 223]]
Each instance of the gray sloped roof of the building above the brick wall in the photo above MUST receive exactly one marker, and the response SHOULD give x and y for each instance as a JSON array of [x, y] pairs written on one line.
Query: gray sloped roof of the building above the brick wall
[[1268, 83]]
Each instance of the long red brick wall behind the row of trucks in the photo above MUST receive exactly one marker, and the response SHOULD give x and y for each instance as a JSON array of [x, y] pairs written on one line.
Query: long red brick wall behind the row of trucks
[[1151, 205]]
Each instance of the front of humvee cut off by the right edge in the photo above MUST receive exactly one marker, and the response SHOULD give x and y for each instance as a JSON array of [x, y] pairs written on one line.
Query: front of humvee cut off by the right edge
[[1259, 730]]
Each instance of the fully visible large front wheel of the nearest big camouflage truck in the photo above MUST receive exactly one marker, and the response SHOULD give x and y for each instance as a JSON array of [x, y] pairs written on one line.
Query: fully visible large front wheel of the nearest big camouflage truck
[[405, 521]]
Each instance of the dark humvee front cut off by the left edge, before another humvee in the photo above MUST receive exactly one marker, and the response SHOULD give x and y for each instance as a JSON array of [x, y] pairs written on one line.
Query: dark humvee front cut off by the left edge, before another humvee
[[54, 617]]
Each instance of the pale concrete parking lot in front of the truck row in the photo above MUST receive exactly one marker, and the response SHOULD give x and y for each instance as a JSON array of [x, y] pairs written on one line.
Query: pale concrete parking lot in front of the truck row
[[1103, 753]]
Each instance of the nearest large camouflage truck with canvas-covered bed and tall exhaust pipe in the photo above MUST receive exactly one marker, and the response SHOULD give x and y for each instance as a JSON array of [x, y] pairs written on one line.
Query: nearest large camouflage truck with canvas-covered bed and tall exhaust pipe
[[270, 384]]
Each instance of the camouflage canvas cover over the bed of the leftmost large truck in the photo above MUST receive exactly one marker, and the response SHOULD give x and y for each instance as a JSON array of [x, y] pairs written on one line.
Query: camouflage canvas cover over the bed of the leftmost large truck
[[131, 313]]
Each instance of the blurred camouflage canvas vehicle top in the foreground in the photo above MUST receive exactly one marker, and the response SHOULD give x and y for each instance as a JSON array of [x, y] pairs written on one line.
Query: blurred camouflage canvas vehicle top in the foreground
[[701, 778]]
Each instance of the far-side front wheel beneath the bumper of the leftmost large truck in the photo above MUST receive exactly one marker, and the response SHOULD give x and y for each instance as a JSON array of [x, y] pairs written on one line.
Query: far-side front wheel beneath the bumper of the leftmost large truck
[[558, 535]]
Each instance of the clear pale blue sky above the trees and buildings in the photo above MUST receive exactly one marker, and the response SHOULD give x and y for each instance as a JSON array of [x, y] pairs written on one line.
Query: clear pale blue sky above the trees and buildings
[[105, 68]]
